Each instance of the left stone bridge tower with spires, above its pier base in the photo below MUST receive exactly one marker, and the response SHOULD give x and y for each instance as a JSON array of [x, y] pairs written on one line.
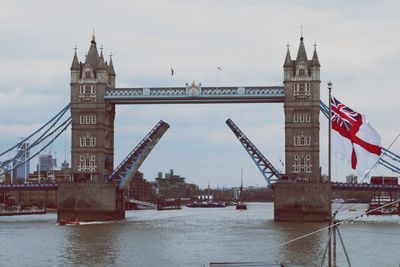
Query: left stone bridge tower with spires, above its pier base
[[92, 144]]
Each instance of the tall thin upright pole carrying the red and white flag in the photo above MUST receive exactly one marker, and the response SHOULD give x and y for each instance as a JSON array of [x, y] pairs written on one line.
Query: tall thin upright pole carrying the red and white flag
[[330, 170]]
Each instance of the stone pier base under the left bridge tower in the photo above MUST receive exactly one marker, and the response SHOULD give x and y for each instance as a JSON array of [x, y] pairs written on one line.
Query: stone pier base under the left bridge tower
[[90, 202]]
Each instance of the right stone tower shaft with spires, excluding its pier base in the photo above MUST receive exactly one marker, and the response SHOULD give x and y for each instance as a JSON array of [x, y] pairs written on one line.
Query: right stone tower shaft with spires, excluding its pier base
[[301, 107]]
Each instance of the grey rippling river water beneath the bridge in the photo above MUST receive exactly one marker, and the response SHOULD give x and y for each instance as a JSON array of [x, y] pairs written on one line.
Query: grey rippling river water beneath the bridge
[[194, 237]]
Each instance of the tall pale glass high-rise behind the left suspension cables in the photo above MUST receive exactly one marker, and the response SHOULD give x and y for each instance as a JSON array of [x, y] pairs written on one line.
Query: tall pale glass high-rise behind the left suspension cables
[[21, 172]]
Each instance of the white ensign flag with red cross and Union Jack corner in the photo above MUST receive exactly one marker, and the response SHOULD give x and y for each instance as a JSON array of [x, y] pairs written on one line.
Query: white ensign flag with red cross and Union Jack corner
[[354, 139]]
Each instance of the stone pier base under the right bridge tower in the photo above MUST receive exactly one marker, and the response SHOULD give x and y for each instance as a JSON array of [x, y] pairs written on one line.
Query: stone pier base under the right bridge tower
[[302, 202]]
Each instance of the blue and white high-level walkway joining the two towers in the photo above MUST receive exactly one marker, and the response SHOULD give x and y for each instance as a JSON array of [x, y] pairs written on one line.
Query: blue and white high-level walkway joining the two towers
[[195, 94]]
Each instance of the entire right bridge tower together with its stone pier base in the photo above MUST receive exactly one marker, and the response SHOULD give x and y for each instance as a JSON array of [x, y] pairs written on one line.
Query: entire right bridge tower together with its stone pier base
[[303, 196]]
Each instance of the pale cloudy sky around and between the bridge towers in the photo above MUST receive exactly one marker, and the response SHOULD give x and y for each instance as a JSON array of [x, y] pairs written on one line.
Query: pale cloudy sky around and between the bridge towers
[[357, 42]]
